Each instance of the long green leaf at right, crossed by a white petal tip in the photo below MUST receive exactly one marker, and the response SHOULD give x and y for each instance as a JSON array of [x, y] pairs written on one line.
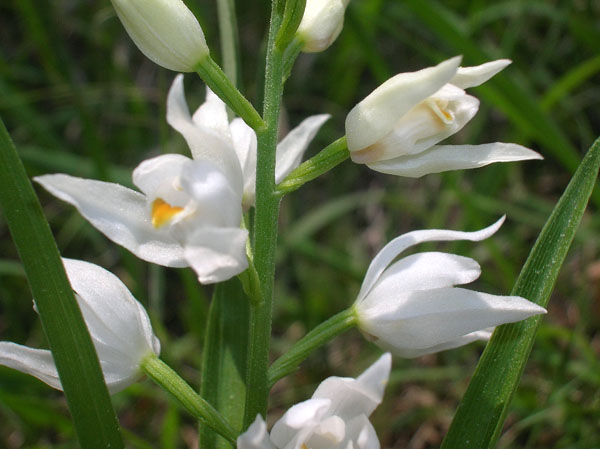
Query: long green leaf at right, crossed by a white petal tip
[[480, 415]]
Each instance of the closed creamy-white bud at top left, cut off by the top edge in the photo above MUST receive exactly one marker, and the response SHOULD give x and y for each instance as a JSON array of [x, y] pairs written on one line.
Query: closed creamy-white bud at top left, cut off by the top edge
[[166, 31]]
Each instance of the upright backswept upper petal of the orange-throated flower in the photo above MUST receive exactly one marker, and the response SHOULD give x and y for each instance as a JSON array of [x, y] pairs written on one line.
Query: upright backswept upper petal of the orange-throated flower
[[207, 141]]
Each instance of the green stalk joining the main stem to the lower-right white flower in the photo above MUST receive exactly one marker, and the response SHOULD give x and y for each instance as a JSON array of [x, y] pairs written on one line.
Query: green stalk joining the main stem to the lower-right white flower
[[334, 326]]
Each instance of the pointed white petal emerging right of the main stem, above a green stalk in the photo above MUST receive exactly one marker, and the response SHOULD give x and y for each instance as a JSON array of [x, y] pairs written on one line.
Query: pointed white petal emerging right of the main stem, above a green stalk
[[291, 149]]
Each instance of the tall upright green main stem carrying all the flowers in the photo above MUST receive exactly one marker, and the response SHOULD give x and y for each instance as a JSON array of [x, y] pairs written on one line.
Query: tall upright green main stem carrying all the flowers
[[265, 229]]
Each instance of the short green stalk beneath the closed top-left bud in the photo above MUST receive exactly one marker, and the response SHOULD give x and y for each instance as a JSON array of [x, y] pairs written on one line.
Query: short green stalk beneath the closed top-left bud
[[216, 79]]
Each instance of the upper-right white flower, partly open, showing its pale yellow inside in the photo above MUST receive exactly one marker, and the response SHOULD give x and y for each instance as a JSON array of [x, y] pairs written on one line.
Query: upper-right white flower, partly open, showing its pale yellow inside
[[396, 128]]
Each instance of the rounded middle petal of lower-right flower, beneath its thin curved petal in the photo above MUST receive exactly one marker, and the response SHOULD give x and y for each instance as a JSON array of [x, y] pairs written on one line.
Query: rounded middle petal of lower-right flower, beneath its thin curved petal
[[421, 271]]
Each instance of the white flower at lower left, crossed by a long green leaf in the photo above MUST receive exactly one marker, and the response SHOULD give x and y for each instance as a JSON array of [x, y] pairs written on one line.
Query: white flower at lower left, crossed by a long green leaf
[[117, 322]]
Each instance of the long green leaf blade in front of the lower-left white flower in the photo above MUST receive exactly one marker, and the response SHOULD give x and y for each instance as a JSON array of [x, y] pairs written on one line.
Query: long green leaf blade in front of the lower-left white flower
[[68, 337]]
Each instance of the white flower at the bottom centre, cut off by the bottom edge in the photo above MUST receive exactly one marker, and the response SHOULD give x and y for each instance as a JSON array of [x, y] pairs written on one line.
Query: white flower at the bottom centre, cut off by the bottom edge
[[336, 417]]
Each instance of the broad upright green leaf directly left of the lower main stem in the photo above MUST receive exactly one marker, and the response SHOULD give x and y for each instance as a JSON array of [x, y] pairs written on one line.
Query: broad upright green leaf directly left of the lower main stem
[[224, 362]]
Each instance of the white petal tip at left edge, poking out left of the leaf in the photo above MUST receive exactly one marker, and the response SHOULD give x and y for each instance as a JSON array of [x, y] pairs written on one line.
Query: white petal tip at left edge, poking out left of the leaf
[[36, 362]]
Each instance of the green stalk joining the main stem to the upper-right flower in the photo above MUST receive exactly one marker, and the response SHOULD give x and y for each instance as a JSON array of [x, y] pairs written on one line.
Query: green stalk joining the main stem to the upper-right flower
[[332, 155]]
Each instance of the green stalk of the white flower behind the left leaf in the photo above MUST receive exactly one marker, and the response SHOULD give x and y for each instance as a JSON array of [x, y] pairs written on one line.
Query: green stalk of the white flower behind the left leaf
[[170, 381]]
